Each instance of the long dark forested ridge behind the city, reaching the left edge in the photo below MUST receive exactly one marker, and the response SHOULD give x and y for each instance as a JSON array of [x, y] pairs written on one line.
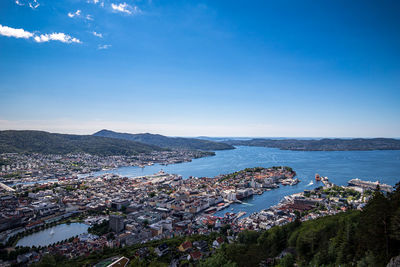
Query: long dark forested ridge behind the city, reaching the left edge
[[53, 143]]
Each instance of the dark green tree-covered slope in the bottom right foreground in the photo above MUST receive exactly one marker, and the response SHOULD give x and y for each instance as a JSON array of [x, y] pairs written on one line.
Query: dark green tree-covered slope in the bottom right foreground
[[355, 238]]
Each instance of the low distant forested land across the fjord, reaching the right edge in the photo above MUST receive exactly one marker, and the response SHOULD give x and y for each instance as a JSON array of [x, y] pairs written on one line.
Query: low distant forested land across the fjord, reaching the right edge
[[323, 144]]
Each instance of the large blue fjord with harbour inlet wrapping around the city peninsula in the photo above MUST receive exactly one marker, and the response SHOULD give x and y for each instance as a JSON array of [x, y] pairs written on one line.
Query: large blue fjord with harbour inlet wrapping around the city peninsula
[[339, 166]]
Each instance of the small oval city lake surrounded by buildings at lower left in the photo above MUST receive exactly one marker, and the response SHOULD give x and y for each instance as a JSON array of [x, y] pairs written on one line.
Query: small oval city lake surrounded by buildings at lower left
[[53, 235]]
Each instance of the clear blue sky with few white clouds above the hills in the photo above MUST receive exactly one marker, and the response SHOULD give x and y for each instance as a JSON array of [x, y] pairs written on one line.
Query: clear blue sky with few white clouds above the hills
[[190, 68]]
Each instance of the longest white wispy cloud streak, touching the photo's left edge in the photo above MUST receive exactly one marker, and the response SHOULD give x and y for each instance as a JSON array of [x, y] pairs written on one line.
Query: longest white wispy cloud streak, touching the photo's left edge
[[39, 38]]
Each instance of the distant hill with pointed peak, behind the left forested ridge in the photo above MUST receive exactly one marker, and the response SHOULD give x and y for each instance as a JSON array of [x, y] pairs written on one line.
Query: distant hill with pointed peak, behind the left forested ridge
[[167, 142]]
